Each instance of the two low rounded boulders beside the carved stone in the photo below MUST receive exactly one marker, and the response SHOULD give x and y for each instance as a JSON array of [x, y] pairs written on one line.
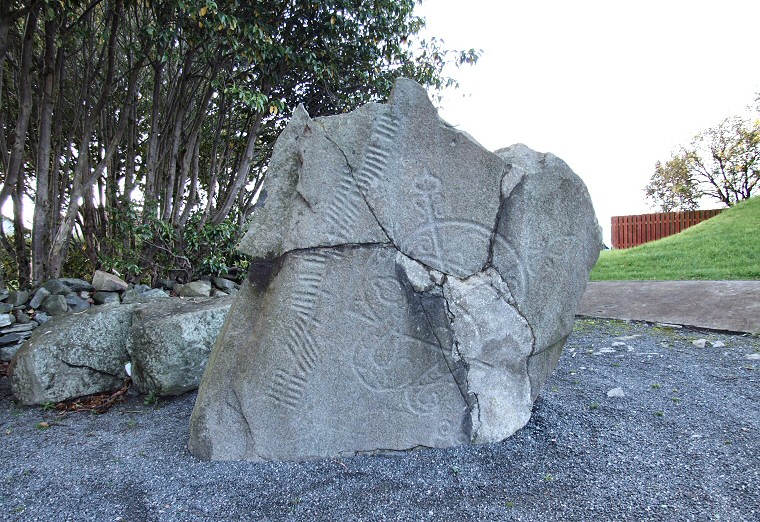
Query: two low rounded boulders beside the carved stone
[[163, 344]]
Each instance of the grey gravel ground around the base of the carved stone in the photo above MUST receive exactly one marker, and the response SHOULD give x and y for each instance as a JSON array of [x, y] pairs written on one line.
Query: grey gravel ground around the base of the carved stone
[[682, 444]]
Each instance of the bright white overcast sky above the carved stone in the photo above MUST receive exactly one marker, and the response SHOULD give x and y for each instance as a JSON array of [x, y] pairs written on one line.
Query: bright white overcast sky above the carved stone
[[608, 86]]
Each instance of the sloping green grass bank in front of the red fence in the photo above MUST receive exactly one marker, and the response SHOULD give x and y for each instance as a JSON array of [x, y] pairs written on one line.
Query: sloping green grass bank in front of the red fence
[[724, 247]]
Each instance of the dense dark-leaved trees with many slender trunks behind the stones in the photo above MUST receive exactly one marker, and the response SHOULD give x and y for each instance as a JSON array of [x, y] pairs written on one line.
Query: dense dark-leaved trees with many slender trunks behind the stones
[[136, 127]]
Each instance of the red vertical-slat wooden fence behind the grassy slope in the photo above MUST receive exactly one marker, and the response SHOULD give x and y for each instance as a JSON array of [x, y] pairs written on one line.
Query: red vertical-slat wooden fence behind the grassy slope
[[629, 231]]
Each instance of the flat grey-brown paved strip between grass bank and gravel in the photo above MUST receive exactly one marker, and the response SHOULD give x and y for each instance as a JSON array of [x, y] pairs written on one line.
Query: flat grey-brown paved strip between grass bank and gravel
[[720, 305]]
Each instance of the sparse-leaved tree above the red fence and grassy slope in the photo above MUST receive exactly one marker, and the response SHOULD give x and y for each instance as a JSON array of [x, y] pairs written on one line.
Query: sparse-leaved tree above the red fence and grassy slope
[[722, 163]]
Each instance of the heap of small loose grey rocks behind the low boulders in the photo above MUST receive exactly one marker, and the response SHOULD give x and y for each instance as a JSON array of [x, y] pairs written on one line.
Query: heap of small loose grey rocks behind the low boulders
[[21, 311]]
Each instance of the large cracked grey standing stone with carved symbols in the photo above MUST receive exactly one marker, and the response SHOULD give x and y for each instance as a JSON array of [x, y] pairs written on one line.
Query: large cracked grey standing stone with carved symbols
[[408, 289]]
